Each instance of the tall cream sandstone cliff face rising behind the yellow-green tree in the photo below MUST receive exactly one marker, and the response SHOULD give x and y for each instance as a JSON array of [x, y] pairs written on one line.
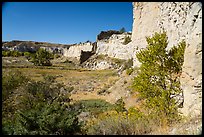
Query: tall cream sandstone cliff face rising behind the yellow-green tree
[[181, 20]]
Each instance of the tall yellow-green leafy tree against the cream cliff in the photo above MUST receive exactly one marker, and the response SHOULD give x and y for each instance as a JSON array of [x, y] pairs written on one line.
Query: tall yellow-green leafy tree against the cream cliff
[[154, 81]]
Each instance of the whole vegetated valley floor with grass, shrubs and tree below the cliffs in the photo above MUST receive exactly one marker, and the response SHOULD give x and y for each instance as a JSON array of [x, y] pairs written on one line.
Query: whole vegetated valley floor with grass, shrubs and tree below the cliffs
[[65, 99]]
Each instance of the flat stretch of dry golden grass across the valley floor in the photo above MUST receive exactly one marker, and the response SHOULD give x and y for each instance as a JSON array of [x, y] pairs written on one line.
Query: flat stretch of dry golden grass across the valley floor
[[76, 78]]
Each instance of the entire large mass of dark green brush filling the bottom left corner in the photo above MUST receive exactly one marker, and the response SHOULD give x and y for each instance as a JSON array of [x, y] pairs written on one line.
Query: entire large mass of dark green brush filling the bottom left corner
[[39, 108]]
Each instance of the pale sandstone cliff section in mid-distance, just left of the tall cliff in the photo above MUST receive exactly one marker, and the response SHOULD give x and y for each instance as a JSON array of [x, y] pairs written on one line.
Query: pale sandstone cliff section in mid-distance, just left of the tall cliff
[[114, 47]]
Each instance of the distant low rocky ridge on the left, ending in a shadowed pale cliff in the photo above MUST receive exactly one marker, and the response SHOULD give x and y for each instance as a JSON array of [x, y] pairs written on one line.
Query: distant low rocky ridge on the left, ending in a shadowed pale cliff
[[75, 52]]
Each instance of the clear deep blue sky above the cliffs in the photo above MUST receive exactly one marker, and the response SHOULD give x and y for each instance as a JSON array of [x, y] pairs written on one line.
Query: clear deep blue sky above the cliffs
[[63, 22]]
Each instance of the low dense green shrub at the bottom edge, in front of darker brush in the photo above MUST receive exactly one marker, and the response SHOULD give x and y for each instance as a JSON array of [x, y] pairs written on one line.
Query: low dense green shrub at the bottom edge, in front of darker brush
[[48, 119]]
